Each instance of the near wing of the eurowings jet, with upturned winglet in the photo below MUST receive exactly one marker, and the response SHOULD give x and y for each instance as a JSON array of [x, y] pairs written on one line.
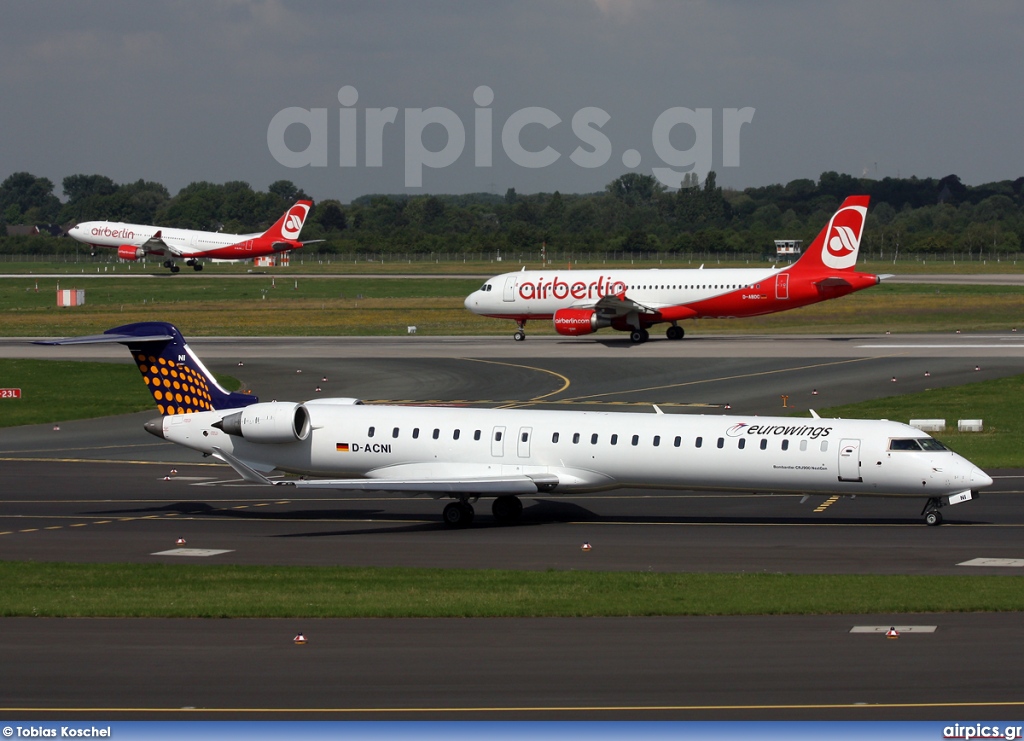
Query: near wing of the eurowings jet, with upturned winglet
[[478, 486]]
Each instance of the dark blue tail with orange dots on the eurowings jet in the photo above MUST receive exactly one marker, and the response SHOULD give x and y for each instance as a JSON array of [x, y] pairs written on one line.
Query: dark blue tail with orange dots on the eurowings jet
[[178, 379]]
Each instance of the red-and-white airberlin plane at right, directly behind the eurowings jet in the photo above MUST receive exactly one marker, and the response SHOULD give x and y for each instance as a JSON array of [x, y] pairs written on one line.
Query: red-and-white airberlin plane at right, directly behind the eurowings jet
[[583, 301]]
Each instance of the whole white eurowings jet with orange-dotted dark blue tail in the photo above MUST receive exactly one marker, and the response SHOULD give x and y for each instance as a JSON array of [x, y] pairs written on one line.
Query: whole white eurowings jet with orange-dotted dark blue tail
[[465, 454]]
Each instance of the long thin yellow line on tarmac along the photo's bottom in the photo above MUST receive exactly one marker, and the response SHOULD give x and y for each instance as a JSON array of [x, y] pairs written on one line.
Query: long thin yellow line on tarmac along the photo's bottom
[[528, 709]]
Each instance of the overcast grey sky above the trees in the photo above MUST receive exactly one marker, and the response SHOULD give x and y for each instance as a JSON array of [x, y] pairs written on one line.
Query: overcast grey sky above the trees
[[184, 92]]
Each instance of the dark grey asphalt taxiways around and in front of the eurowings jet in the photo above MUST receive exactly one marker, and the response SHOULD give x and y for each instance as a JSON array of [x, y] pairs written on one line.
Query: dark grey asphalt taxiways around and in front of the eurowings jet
[[104, 492]]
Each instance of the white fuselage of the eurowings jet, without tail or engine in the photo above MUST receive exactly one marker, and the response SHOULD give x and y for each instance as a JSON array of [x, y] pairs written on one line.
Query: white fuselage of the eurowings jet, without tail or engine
[[589, 452]]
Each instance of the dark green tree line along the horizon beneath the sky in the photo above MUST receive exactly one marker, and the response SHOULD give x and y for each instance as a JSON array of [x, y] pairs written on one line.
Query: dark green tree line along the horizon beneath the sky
[[633, 214]]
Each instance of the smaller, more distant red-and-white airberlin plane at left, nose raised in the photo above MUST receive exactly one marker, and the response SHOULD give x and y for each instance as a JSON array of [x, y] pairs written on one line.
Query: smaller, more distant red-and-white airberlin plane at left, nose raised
[[137, 241]]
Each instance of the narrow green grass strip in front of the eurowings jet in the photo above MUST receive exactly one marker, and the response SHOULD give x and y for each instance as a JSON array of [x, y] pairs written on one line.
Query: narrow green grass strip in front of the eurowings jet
[[62, 590]]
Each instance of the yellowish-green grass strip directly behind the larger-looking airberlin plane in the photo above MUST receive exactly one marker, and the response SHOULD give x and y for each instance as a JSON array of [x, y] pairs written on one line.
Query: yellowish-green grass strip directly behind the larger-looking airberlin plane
[[374, 307]]
